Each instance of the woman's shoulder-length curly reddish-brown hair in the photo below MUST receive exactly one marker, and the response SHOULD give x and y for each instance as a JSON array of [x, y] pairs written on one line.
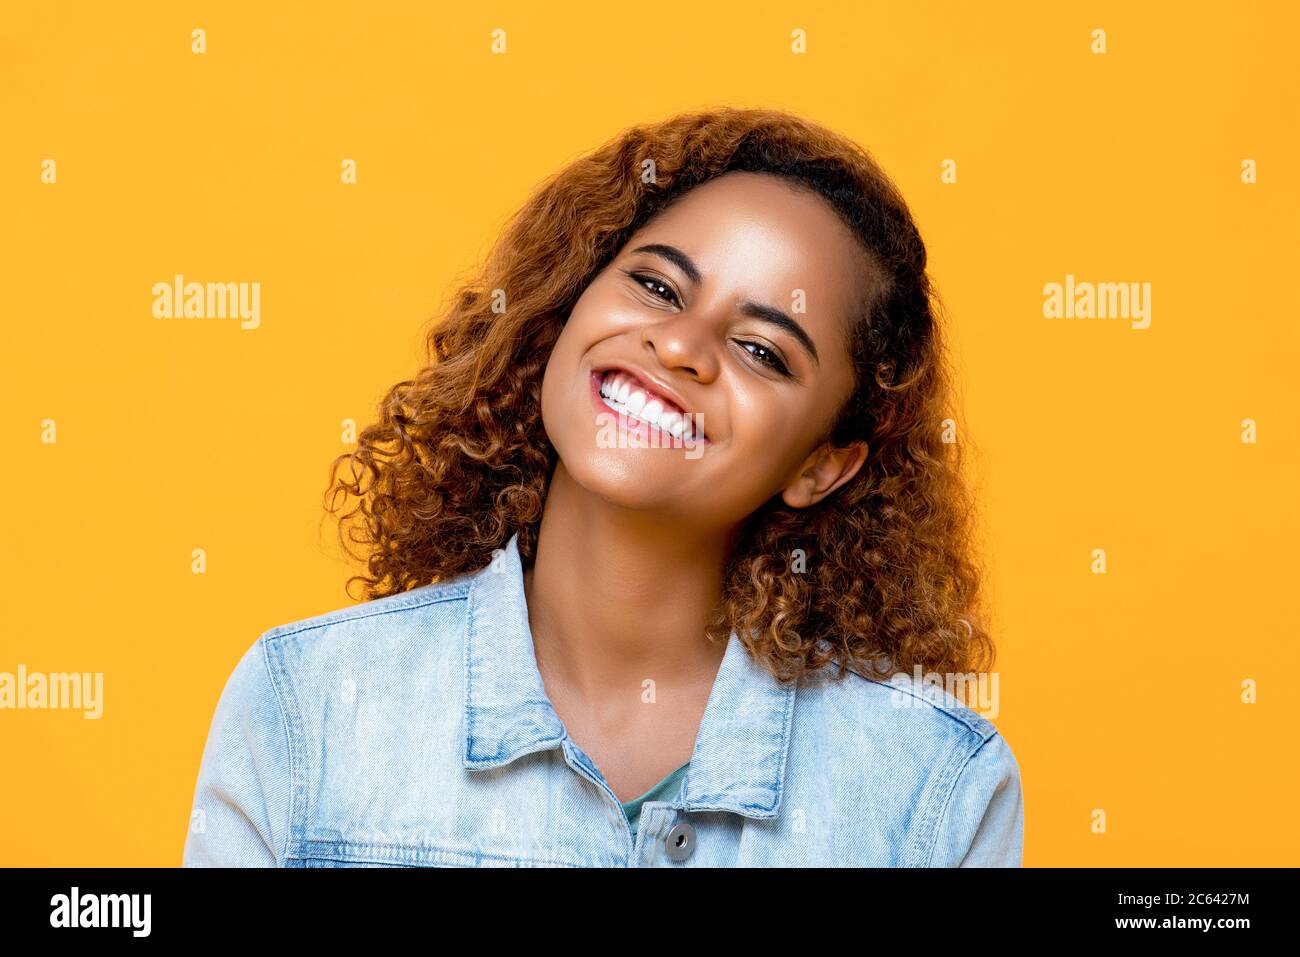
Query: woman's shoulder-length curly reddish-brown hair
[[460, 460]]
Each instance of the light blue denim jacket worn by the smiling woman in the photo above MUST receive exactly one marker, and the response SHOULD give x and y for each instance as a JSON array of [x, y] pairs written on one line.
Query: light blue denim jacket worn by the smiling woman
[[415, 731]]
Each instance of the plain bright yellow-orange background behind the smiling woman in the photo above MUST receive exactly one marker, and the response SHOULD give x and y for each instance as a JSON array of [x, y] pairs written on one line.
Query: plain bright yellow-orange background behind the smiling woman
[[1119, 691]]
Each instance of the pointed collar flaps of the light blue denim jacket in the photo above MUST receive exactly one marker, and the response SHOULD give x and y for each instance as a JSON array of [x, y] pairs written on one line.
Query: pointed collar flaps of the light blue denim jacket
[[739, 763]]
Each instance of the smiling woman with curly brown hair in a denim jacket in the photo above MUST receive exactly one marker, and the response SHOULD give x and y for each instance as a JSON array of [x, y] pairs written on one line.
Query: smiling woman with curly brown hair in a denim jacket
[[658, 544]]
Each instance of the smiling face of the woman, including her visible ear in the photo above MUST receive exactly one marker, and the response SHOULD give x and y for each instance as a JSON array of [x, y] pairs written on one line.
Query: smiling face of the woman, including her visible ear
[[733, 306]]
